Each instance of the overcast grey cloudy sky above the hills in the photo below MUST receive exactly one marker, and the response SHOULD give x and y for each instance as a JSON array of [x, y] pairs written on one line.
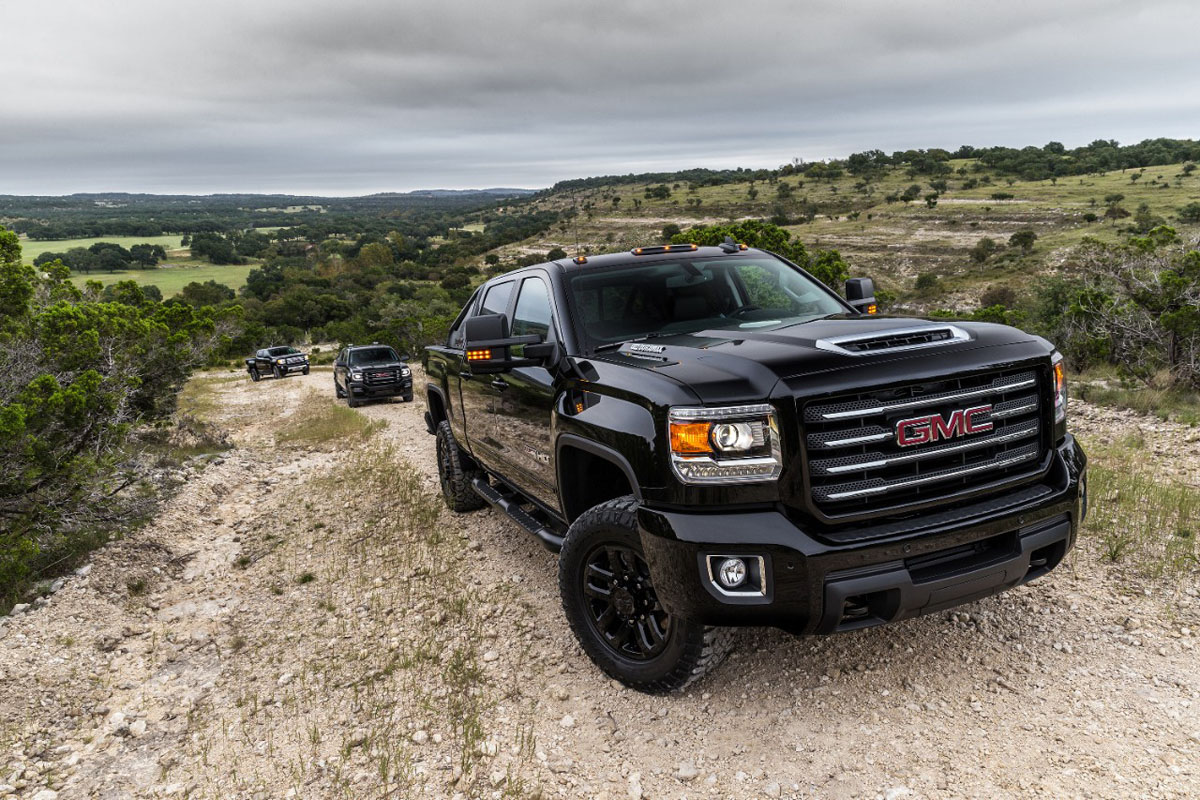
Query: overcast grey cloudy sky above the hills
[[358, 97]]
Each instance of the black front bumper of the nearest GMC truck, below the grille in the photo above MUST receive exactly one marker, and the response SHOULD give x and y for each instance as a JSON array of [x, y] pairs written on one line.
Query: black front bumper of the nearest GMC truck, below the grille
[[815, 587]]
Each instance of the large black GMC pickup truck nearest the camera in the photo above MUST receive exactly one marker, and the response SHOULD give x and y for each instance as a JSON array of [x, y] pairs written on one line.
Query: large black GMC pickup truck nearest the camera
[[713, 438]]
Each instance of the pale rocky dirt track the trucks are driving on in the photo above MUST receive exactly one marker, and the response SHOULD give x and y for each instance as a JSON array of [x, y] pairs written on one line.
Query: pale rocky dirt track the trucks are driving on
[[307, 621]]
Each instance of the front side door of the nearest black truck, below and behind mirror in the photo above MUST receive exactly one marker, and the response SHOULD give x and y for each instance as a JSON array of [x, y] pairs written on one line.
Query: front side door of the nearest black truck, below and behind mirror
[[525, 400]]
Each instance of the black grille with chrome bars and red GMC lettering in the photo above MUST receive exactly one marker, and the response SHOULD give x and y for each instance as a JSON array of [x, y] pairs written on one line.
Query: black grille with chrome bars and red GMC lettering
[[863, 461]]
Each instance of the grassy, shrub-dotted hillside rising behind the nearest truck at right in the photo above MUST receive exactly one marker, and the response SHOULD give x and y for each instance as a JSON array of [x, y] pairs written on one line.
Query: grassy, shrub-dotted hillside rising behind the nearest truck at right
[[897, 242]]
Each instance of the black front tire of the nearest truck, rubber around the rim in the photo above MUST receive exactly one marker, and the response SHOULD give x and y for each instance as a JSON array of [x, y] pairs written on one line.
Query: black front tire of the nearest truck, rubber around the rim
[[692, 649]]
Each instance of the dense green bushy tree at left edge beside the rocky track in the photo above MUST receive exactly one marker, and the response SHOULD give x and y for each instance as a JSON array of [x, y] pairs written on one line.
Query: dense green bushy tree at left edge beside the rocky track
[[80, 372]]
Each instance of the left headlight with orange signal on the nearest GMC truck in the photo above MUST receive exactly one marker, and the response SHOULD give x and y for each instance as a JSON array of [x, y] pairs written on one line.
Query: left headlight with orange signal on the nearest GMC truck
[[734, 444]]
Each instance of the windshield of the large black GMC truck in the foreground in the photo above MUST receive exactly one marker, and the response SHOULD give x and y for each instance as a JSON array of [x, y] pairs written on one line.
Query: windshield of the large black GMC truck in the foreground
[[686, 297]]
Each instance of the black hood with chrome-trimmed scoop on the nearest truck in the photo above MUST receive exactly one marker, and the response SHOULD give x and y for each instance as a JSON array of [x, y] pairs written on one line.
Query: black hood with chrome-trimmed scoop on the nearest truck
[[734, 365]]
